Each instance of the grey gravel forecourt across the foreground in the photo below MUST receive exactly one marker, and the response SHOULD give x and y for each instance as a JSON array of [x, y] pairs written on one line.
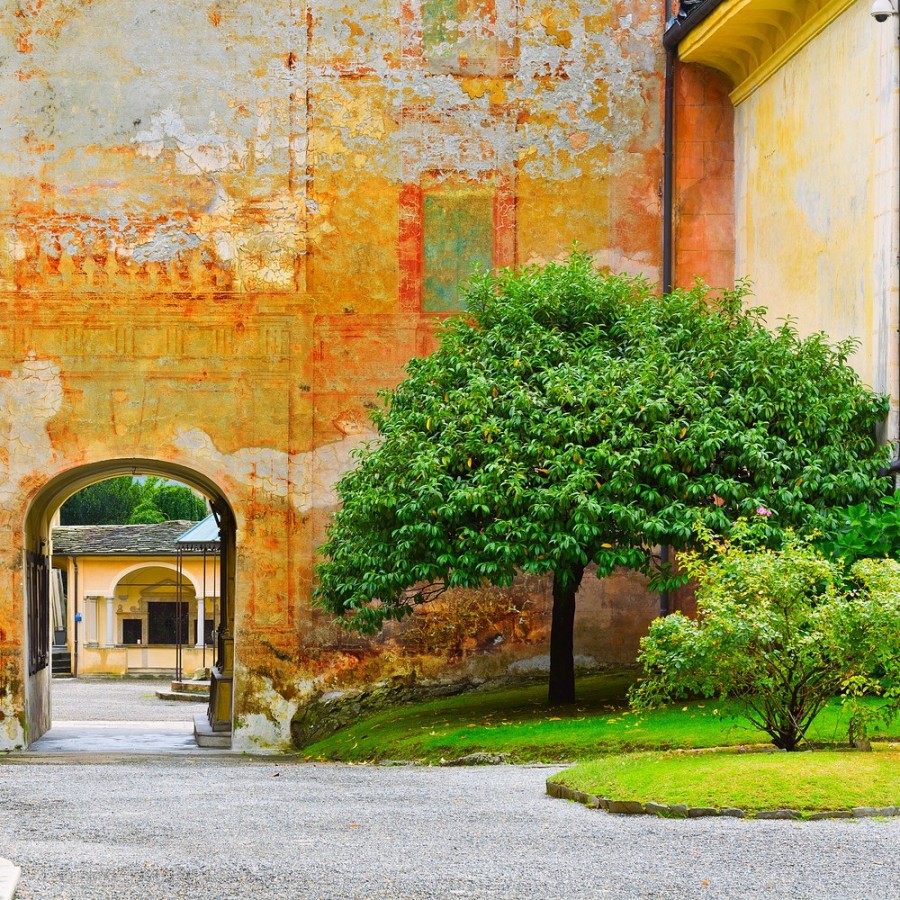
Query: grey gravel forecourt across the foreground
[[168, 827]]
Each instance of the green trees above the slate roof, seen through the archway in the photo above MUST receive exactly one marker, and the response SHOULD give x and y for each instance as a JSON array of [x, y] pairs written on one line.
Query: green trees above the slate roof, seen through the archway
[[130, 501]]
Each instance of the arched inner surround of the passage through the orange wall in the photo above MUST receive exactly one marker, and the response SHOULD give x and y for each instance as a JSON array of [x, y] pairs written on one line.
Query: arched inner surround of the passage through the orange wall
[[37, 553]]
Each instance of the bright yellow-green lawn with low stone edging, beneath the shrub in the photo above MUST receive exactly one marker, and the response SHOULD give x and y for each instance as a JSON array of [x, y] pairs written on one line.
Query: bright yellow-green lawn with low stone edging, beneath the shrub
[[805, 781]]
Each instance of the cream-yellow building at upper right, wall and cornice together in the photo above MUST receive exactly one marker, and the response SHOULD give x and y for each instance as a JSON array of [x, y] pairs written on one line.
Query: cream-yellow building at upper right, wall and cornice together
[[814, 87]]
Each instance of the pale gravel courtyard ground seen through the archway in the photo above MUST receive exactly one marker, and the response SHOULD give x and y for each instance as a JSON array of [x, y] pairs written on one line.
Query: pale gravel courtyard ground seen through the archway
[[116, 700]]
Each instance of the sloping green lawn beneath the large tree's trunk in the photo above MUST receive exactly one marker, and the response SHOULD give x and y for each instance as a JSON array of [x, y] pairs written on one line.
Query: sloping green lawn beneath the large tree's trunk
[[517, 721]]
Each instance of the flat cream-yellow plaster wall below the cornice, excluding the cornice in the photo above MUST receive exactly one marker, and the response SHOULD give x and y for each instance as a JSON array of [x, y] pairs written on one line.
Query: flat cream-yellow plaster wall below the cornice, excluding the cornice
[[817, 189]]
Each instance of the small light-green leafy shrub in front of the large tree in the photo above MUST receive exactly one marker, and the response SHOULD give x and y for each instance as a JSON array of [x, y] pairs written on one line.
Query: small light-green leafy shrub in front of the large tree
[[781, 632]]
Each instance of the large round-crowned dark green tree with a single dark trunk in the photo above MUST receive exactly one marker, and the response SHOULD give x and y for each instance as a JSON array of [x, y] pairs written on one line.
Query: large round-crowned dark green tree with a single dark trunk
[[573, 418]]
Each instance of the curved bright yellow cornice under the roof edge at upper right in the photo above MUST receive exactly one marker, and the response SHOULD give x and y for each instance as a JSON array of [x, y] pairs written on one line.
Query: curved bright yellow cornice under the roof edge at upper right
[[750, 40]]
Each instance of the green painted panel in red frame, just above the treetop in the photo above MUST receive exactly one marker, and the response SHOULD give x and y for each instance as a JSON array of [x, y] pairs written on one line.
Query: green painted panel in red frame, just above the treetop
[[458, 236]]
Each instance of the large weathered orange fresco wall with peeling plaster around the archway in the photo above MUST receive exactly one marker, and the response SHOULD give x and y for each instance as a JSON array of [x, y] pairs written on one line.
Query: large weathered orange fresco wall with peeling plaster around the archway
[[224, 226]]
